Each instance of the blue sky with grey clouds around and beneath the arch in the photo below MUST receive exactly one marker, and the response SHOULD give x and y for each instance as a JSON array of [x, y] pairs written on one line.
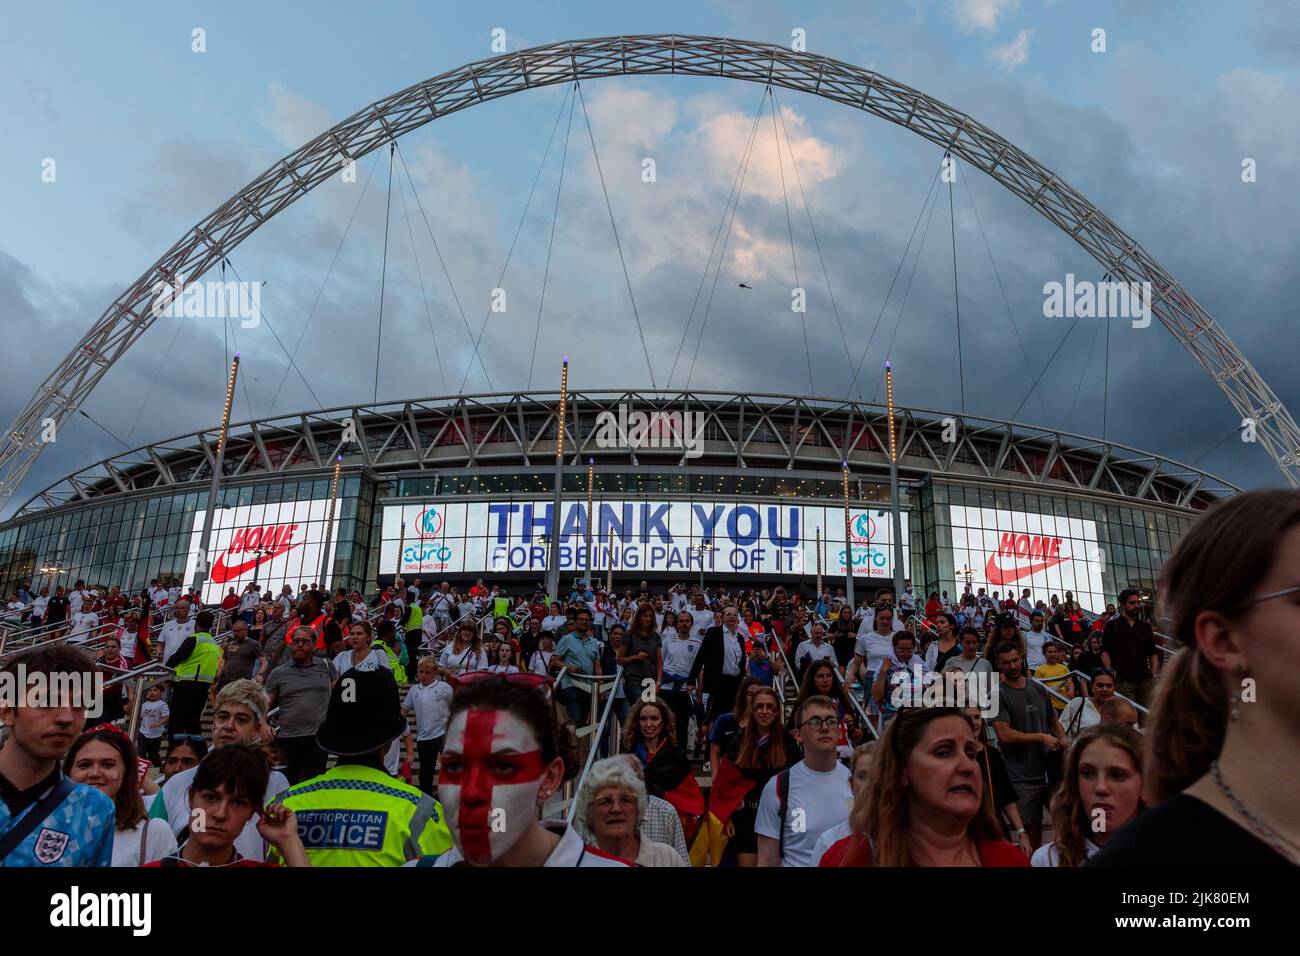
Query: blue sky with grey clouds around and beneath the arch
[[149, 136]]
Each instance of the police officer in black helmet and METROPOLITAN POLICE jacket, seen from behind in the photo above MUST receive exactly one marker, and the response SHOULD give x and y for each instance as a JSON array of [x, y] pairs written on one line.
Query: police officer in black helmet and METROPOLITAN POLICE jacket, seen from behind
[[357, 815]]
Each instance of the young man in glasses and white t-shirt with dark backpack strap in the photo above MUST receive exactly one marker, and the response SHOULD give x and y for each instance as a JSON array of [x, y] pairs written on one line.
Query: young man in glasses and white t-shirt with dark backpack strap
[[813, 797]]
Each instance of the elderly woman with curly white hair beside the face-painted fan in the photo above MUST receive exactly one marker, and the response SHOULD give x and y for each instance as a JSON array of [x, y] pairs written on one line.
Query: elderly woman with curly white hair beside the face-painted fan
[[612, 806]]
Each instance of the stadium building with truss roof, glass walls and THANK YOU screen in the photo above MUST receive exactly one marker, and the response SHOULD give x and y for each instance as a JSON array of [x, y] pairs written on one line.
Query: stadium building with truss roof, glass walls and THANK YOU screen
[[755, 478]]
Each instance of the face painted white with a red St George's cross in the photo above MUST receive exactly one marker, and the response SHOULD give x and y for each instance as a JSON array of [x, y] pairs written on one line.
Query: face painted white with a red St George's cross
[[492, 771]]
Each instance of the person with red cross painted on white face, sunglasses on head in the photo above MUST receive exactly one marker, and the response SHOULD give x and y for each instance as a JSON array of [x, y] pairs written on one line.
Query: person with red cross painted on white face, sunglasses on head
[[505, 758]]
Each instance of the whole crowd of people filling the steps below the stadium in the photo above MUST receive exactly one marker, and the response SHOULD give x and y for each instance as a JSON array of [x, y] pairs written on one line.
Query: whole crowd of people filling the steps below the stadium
[[747, 728]]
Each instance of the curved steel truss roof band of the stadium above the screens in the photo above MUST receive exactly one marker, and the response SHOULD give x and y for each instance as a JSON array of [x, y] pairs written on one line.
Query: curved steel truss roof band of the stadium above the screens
[[760, 432]]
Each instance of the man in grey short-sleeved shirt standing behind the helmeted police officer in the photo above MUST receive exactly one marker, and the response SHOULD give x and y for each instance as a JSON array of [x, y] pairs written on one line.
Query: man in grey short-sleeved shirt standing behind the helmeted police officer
[[301, 689]]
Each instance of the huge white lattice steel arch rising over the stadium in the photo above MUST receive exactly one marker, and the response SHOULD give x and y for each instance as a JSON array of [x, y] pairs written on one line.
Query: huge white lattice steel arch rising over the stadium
[[203, 246]]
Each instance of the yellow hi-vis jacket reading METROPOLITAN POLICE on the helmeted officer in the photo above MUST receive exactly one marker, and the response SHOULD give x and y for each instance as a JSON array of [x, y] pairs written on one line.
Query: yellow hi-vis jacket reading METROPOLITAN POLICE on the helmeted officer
[[358, 816]]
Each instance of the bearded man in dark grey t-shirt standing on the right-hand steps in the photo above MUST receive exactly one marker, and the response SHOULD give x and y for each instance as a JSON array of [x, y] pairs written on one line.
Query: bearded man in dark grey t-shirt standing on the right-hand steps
[[1028, 732]]
